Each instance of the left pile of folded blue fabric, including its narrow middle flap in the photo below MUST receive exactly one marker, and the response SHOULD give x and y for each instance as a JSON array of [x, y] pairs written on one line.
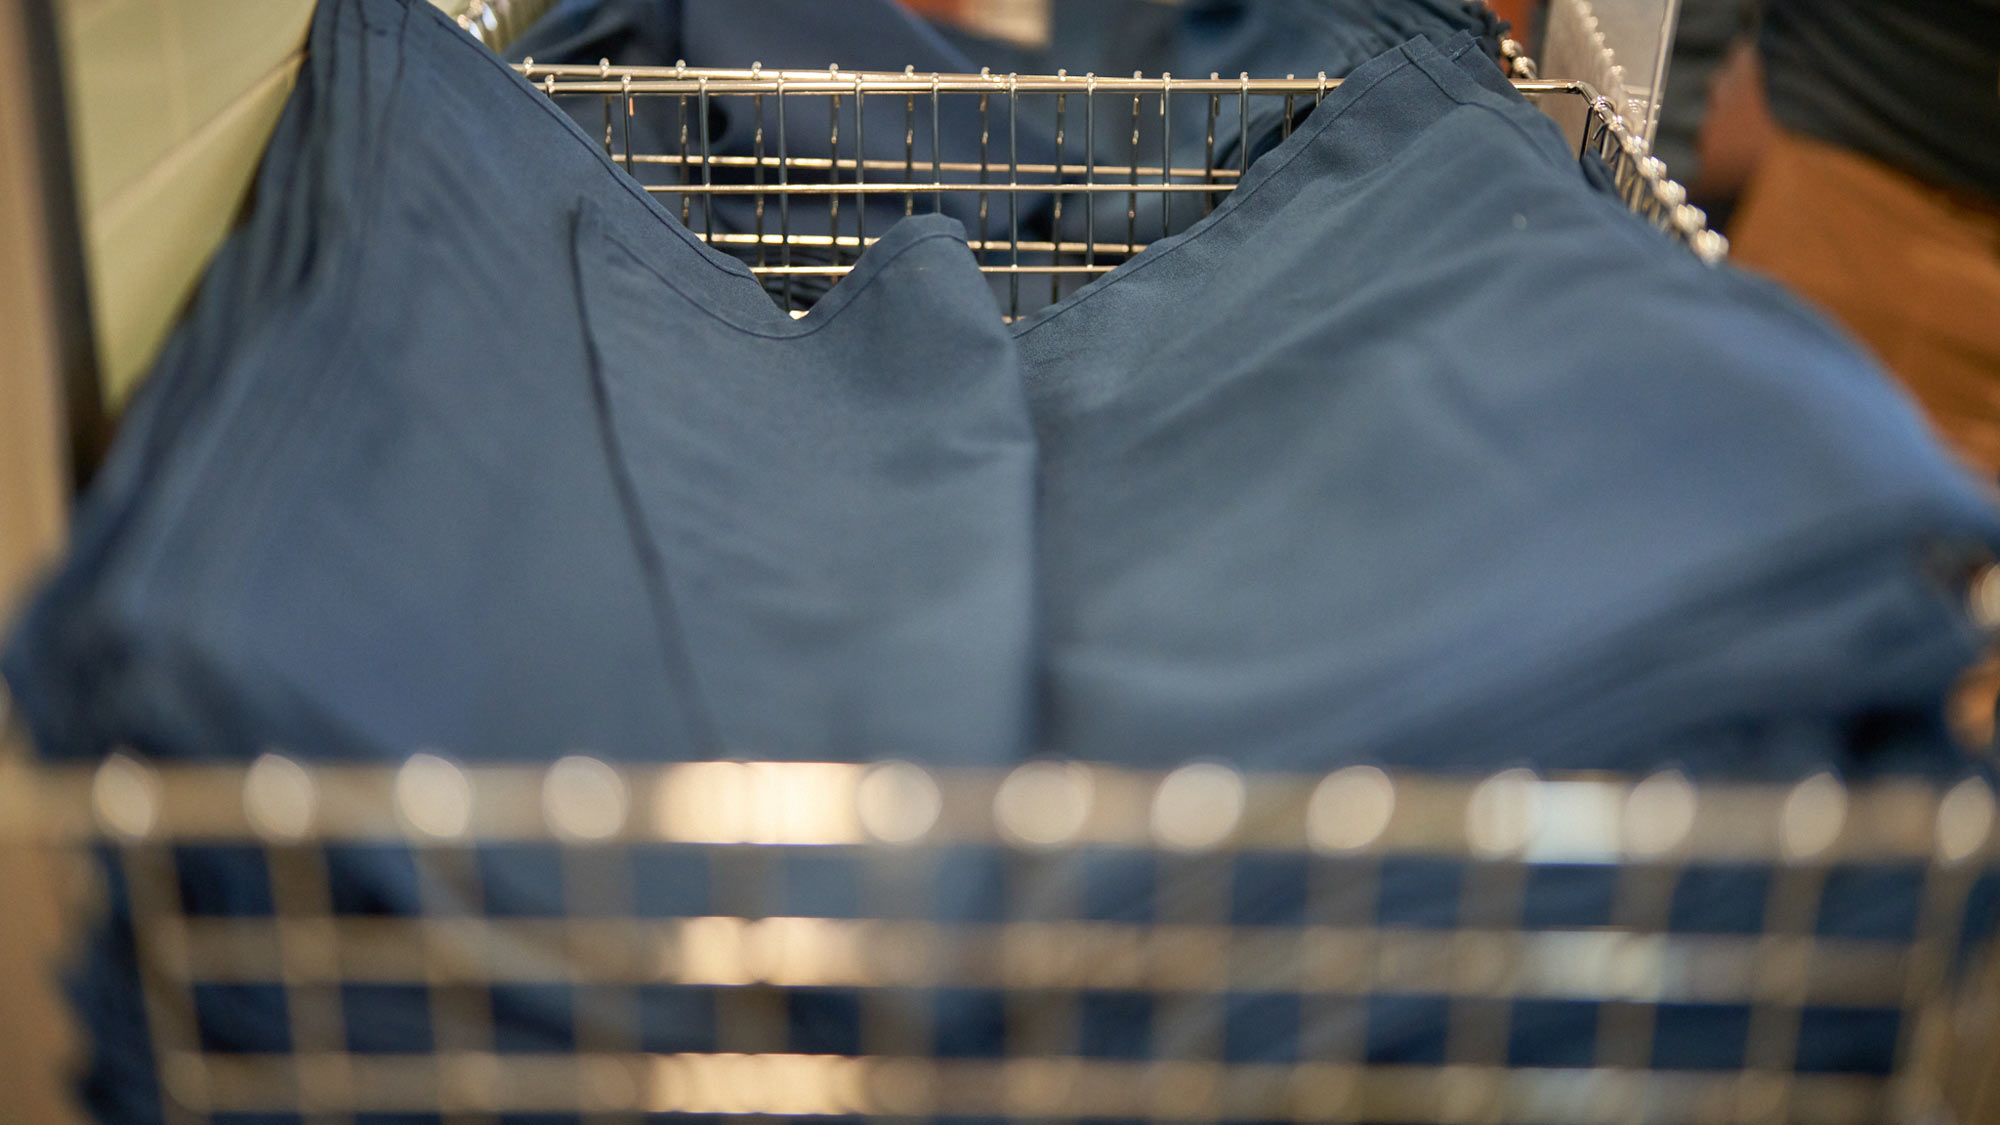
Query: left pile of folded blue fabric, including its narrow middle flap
[[377, 499]]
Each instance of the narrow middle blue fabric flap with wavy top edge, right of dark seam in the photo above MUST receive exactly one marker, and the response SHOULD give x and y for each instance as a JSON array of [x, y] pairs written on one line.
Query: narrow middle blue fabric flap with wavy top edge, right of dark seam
[[897, 584]]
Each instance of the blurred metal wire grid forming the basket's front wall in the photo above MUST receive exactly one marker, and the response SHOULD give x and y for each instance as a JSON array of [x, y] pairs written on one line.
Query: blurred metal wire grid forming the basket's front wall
[[1057, 942]]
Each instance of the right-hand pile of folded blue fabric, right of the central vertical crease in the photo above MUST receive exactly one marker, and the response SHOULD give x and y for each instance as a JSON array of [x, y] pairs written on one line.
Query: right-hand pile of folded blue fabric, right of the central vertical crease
[[1319, 511]]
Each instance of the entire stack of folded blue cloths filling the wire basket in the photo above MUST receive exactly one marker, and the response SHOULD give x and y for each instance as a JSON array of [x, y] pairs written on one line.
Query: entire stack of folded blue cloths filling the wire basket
[[1421, 451]]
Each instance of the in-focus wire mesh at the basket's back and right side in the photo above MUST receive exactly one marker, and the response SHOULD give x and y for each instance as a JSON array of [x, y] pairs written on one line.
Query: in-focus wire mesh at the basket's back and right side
[[1069, 175]]
